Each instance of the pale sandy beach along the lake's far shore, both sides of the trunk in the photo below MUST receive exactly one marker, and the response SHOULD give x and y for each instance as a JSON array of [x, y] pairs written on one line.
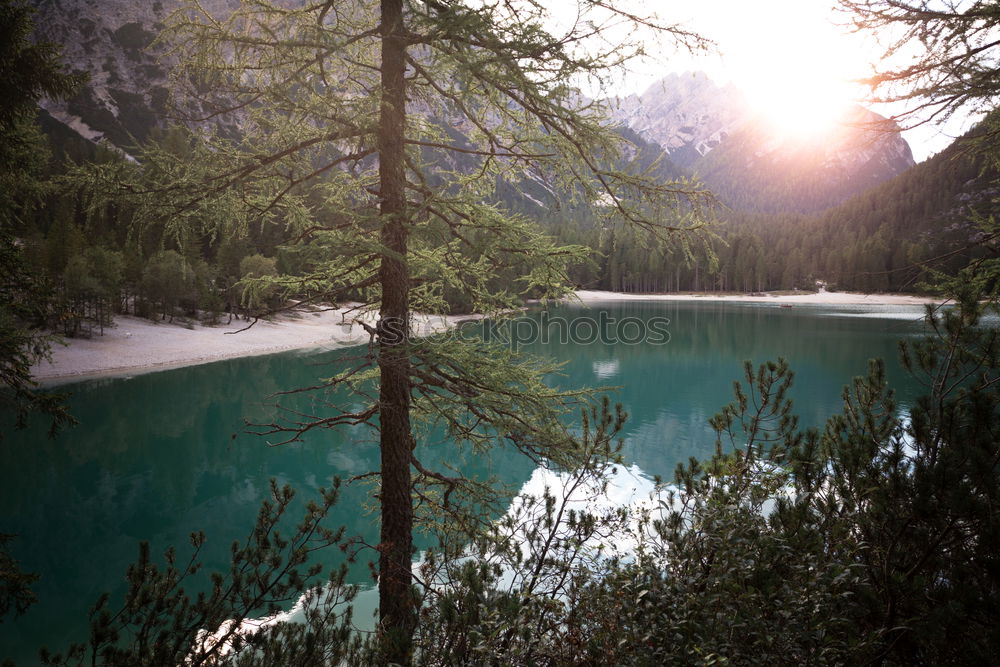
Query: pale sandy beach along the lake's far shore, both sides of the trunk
[[134, 345]]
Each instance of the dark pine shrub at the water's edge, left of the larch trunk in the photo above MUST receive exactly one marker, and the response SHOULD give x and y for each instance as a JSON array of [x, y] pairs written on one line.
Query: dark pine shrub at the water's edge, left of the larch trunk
[[162, 621]]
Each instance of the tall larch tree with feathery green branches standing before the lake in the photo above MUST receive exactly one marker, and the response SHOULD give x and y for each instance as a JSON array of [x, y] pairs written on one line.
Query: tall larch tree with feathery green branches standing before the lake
[[378, 134]]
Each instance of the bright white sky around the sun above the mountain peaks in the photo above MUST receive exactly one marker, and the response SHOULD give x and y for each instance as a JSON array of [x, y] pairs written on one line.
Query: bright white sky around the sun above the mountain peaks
[[797, 61]]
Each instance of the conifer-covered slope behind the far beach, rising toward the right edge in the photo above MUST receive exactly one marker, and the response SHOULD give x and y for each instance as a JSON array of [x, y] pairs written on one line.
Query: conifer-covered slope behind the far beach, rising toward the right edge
[[875, 241]]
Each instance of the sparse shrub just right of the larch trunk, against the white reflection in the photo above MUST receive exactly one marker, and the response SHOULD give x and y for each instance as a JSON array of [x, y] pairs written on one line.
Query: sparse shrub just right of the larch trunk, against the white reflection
[[499, 600]]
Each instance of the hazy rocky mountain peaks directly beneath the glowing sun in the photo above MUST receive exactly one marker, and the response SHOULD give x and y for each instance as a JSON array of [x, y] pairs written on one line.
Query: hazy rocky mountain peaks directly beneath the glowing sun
[[714, 132]]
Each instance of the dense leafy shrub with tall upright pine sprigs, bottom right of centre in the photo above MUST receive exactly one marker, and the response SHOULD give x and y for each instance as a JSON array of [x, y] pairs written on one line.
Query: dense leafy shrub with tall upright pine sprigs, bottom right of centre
[[711, 582]]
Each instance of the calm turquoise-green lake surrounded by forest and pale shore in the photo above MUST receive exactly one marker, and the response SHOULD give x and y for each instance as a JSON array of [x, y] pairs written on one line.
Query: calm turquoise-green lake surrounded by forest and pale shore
[[160, 455]]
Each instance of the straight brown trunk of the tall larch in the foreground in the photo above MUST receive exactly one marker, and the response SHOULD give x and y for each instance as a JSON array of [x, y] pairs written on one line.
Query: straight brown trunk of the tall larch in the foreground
[[396, 604]]
